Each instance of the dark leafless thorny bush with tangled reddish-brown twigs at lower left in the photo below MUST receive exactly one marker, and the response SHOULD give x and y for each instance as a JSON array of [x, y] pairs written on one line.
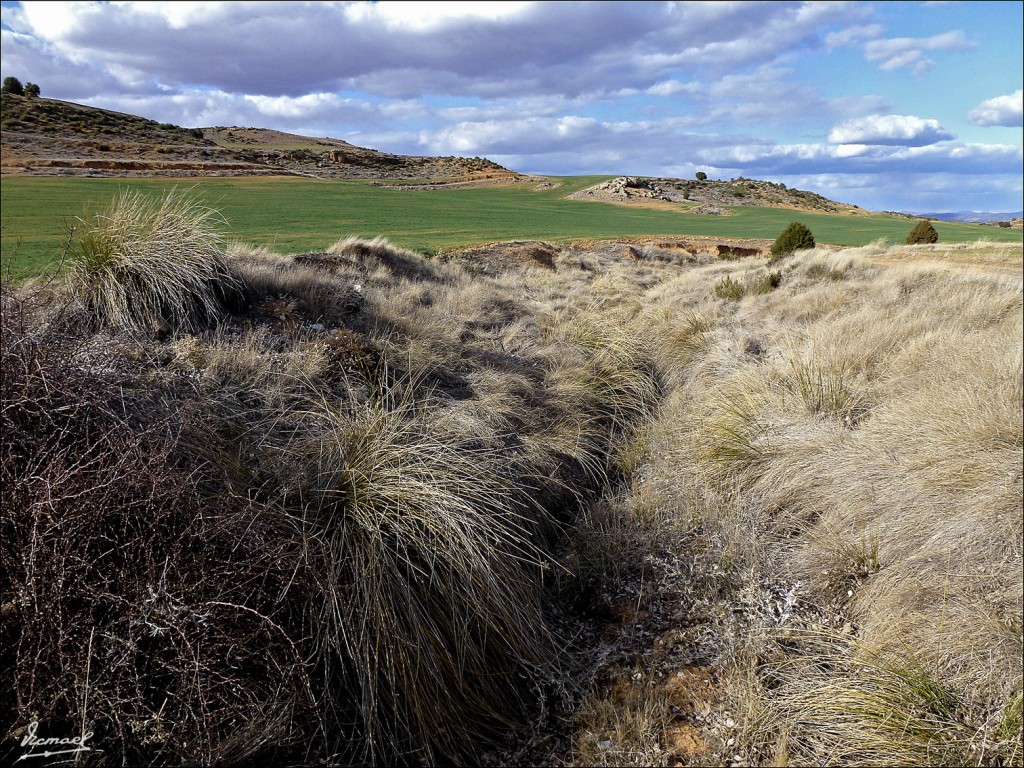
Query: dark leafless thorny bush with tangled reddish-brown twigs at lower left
[[135, 606]]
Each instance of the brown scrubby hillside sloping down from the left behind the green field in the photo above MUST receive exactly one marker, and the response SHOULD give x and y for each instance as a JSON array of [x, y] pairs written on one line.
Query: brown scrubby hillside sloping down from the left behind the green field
[[47, 137]]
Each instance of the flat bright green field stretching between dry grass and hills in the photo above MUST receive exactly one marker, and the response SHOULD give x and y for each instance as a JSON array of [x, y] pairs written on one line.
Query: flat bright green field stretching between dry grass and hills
[[293, 216]]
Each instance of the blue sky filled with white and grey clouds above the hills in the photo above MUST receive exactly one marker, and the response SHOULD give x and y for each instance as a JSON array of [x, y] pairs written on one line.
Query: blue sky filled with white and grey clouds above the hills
[[912, 107]]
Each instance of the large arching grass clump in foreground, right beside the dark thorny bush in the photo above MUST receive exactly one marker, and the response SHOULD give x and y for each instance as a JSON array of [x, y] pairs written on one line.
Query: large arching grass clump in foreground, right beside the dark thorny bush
[[426, 610]]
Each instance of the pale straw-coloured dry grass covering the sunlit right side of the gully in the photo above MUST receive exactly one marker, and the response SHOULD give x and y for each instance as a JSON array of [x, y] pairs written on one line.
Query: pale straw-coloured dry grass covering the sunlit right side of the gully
[[848, 451]]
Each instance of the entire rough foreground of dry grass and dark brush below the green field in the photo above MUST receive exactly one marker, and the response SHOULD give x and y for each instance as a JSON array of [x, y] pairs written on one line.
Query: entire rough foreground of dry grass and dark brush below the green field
[[334, 507]]
